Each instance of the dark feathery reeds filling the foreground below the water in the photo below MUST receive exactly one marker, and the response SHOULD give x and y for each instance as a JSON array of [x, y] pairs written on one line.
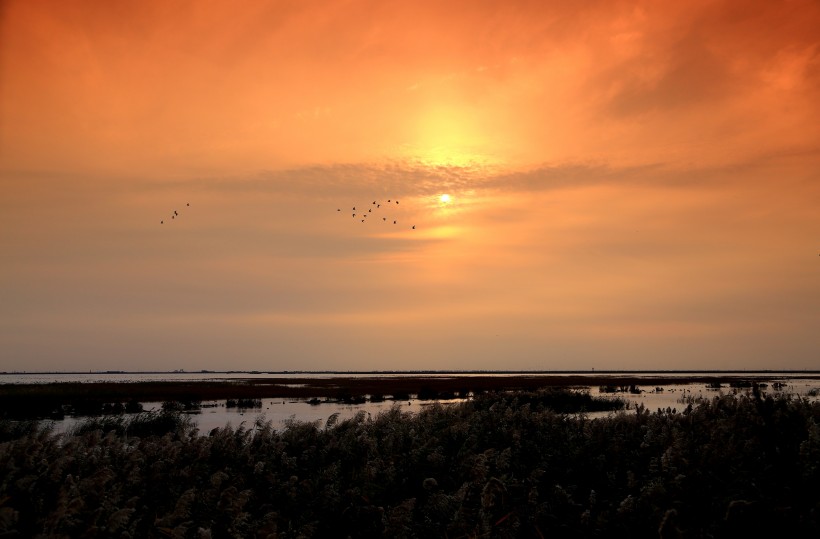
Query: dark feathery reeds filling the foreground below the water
[[499, 465]]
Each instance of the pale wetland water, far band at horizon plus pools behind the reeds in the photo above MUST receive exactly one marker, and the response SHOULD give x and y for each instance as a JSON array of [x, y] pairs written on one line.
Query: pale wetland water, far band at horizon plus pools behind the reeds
[[278, 410]]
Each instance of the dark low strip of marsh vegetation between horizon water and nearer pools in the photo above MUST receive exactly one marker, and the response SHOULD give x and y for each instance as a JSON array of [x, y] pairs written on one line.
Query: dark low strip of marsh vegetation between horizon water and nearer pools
[[57, 400]]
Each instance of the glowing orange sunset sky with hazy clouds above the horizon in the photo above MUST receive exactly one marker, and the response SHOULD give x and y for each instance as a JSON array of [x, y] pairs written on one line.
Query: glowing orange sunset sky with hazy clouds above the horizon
[[629, 185]]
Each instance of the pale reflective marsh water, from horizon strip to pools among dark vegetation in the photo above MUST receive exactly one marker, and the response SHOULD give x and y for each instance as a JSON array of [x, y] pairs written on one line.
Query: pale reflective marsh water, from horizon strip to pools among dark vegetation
[[279, 412]]
